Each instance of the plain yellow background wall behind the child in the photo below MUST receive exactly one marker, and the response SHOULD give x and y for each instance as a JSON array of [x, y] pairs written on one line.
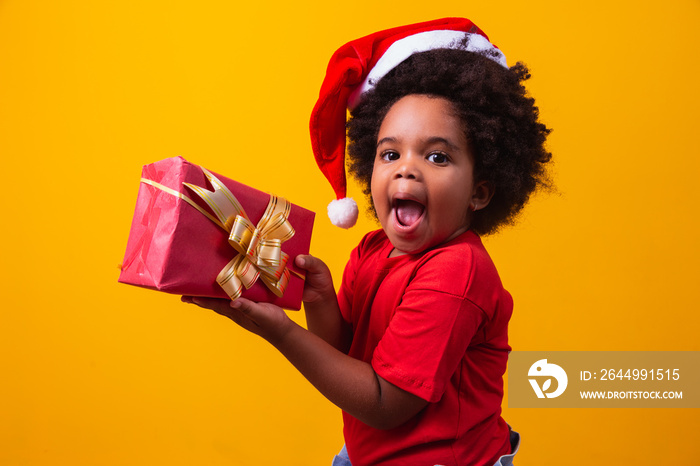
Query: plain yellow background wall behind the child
[[98, 373]]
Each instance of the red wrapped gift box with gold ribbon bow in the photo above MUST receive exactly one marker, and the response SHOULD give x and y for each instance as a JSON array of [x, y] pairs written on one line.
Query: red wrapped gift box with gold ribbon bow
[[198, 233]]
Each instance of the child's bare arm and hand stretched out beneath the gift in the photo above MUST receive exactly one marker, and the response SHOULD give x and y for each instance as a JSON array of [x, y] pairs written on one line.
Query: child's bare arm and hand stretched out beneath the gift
[[350, 384]]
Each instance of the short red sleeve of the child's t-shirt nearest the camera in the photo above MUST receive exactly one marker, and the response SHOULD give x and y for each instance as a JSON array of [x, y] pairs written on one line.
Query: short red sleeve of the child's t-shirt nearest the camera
[[428, 335]]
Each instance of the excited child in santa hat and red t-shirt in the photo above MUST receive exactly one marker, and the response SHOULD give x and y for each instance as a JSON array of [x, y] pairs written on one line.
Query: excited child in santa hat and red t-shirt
[[414, 346]]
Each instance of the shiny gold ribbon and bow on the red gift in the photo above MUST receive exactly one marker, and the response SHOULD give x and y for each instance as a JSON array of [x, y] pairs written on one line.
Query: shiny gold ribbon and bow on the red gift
[[259, 246]]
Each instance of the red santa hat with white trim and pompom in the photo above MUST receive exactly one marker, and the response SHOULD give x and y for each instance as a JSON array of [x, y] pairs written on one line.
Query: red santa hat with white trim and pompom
[[354, 69]]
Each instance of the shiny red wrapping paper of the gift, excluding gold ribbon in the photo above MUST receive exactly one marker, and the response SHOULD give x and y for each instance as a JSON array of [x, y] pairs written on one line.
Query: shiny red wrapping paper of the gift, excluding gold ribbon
[[174, 248]]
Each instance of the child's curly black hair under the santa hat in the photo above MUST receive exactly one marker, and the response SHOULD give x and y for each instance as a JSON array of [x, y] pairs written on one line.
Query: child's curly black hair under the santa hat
[[500, 121]]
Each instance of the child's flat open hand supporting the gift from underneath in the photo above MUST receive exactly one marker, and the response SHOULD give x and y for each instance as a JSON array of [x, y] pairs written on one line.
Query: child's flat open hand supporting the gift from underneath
[[263, 319]]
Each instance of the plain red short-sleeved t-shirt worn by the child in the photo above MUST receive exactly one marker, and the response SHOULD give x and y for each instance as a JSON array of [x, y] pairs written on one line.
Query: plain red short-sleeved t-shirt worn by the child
[[436, 325]]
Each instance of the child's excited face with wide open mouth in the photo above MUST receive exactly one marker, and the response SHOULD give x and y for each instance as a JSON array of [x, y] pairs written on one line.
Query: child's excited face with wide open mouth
[[423, 181]]
